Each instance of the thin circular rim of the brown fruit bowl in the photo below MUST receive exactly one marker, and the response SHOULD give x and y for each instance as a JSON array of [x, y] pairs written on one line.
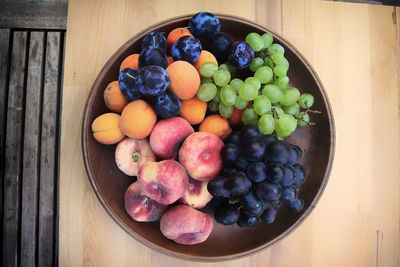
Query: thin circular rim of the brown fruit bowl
[[151, 245]]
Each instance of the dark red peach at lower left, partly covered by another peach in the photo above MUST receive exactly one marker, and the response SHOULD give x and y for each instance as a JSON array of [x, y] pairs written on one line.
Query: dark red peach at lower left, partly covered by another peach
[[140, 207]]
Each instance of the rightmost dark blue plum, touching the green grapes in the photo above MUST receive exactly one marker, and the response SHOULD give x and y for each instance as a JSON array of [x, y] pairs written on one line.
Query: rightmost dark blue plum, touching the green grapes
[[241, 55]]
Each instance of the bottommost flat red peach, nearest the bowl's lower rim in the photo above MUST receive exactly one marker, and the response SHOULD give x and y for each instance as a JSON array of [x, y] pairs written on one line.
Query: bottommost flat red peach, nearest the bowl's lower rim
[[186, 225]]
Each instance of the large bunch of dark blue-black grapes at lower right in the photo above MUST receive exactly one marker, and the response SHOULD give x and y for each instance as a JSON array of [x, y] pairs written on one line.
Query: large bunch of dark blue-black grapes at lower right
[[260, 173]]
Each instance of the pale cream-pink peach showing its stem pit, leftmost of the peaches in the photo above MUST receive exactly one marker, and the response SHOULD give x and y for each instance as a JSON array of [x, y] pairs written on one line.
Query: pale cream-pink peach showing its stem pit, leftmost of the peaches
[[132, 153]]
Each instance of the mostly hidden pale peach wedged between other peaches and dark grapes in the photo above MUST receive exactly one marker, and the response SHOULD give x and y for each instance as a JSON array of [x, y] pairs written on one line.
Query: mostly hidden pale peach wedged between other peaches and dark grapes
[[196, 195]]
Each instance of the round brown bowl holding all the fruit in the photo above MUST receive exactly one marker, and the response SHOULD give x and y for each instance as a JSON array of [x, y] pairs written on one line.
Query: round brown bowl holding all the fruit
[[225, 242]]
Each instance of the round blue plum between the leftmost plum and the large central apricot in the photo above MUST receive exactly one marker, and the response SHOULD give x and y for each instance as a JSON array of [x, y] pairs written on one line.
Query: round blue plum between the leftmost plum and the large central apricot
[[153, 80]]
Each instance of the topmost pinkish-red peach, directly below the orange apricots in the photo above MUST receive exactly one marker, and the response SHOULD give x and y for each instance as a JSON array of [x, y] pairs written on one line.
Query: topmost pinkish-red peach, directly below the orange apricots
[[168, 135]]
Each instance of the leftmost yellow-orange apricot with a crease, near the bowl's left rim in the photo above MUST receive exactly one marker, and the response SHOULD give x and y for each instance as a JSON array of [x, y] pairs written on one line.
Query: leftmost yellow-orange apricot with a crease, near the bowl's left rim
[[106, 129]]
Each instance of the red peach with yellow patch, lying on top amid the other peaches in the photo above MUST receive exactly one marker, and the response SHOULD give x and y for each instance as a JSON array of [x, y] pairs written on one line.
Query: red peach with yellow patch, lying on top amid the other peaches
[[164, 181]]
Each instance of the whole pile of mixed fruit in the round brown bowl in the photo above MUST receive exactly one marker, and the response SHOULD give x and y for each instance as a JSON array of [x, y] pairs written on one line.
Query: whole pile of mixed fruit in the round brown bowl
[[164, 119]]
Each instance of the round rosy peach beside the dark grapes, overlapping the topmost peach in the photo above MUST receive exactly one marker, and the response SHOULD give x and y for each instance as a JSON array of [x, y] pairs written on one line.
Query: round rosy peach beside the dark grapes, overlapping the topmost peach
[[200, 154]]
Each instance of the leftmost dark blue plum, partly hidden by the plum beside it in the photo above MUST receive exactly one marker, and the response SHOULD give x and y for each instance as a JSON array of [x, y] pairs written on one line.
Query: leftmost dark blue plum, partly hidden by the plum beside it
[[127, 81]]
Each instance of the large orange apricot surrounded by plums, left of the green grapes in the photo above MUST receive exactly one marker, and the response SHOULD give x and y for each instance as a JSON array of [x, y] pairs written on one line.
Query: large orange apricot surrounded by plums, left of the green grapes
[[185, 80]]
